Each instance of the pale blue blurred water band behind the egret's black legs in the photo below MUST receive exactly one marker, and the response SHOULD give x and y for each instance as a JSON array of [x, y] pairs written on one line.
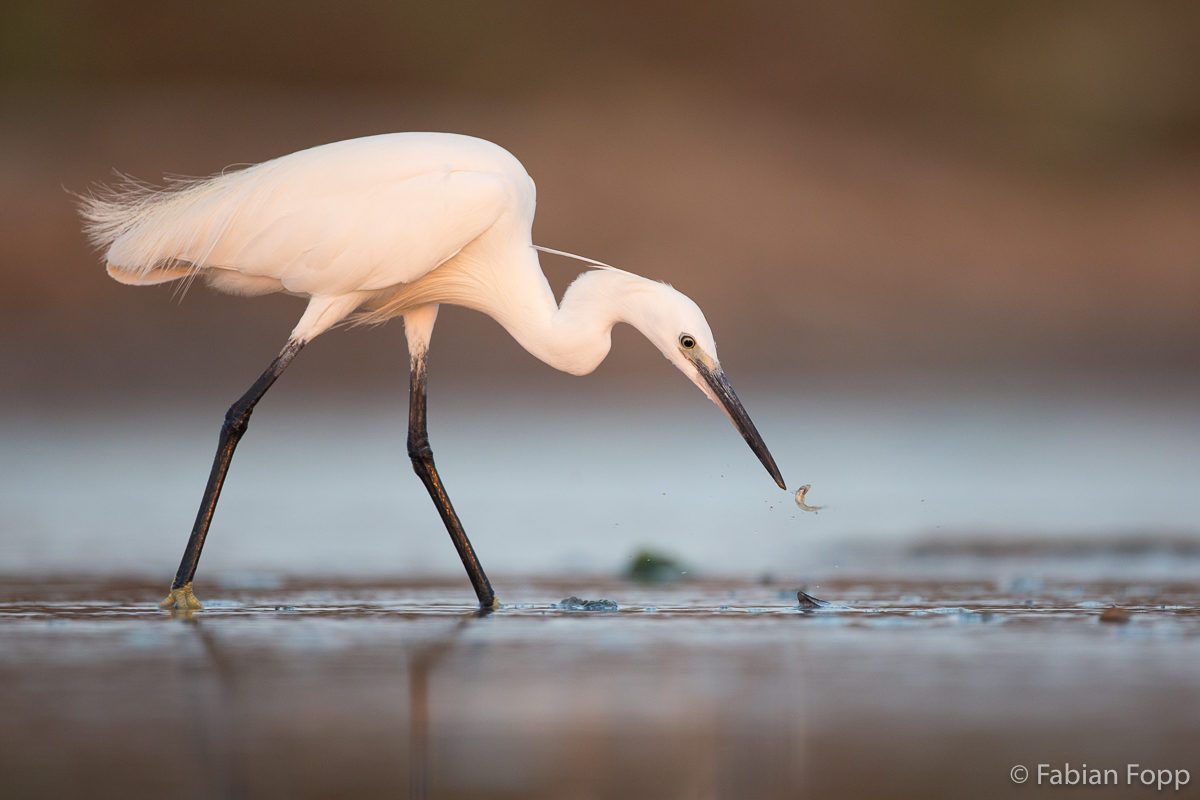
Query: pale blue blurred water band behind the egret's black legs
[[575, 484]]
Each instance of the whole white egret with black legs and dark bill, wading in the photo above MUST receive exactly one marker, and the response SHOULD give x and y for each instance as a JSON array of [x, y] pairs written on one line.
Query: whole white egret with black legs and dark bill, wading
[[392, 226]]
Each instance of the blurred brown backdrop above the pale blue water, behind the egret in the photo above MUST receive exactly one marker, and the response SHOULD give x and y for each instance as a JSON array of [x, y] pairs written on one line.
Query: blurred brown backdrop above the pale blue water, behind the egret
[[842, 187]]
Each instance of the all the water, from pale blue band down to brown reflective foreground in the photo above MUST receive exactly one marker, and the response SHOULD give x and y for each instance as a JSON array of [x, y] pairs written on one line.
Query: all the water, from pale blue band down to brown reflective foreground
[[969, 548]]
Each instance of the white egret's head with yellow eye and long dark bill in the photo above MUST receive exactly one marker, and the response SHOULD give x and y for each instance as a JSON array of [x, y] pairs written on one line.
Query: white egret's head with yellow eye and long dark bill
[[677, 327]]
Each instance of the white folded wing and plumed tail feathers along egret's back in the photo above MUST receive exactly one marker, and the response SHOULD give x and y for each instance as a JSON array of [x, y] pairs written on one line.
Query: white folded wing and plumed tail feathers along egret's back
[[364, 214]]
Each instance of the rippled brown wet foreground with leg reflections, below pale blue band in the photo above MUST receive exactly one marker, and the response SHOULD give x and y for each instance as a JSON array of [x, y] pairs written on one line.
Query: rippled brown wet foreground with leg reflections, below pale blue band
[[724, 689]]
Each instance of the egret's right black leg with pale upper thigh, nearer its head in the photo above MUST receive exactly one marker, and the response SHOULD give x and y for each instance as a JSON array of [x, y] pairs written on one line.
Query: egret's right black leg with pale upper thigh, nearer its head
[[418, 328]]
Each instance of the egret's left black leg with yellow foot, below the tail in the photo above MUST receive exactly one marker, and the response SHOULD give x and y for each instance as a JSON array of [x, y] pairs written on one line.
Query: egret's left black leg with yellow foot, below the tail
[[237, 420]]
